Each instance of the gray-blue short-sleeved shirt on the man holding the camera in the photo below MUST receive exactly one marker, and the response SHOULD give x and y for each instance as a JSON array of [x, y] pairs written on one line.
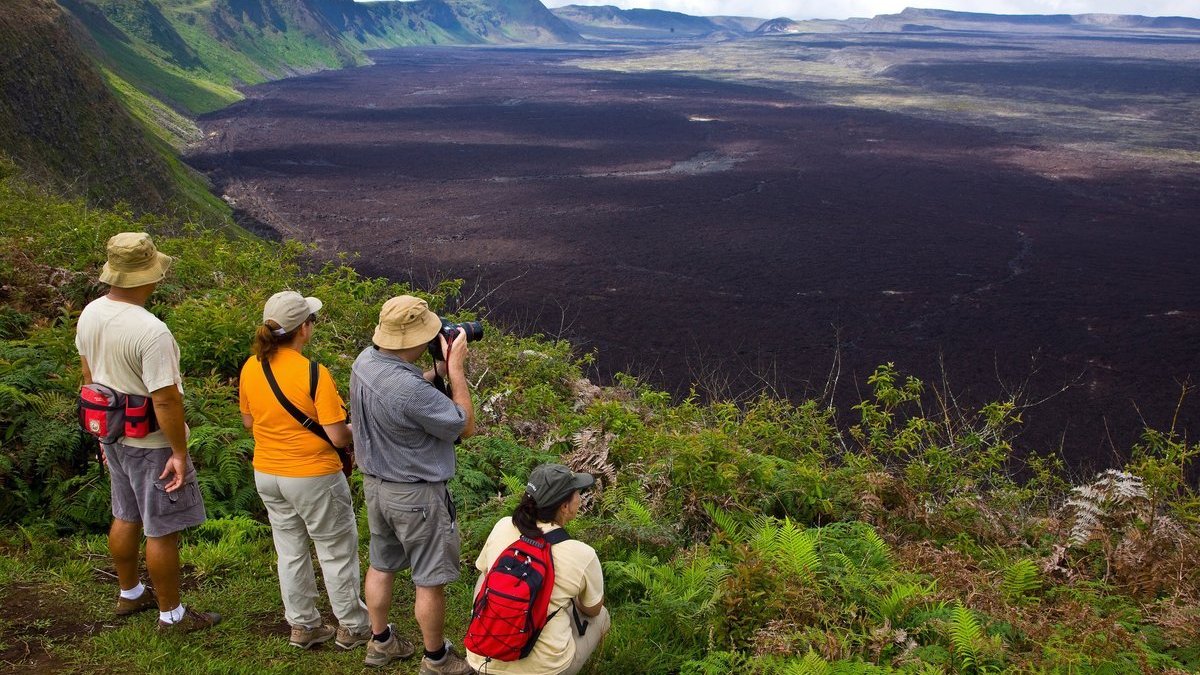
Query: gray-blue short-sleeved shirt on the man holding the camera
[[404, 427]]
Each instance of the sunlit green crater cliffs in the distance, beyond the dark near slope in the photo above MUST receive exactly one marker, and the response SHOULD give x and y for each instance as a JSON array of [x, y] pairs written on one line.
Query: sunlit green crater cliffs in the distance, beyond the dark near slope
[[194, 55]]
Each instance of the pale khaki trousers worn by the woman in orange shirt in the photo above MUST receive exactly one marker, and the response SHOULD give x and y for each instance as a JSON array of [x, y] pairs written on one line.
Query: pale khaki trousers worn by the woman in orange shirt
[[319, 510]]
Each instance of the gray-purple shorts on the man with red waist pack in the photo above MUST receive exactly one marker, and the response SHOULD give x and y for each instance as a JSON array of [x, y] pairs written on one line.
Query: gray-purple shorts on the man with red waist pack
[[139, 495]]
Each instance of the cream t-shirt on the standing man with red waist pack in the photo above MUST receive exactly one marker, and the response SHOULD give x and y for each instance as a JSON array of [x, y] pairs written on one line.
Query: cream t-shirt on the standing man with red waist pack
[[130, 350]]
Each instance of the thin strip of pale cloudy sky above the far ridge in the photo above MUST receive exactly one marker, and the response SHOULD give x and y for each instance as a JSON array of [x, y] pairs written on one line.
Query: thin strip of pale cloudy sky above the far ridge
[[847, 9]]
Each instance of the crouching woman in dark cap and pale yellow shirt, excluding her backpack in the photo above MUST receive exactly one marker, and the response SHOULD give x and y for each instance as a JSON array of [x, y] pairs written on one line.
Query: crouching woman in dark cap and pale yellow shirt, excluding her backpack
[[551, 501]]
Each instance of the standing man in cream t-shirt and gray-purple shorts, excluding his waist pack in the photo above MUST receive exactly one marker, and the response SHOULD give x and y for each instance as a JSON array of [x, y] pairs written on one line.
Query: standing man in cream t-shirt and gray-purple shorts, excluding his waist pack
[[153, 481]]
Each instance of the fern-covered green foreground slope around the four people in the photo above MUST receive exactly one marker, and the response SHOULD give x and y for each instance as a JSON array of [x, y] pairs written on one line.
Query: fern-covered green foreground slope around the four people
[[752, 539]]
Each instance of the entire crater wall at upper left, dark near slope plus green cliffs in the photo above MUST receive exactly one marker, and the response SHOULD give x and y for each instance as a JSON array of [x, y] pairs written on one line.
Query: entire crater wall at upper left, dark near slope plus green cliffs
[[98, 94]]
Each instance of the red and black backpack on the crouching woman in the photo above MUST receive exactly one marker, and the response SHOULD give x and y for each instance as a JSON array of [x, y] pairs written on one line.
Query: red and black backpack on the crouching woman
[[511, 608]]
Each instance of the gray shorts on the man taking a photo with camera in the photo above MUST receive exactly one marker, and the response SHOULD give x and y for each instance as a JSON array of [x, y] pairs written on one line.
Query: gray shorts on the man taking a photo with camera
[[413, 525]]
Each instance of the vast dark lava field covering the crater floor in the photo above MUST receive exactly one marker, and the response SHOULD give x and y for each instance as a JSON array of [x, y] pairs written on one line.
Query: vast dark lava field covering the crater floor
[[733, 237]]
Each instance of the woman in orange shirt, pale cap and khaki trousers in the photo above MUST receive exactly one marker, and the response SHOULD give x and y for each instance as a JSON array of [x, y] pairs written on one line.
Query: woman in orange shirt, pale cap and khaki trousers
[[299, 474]]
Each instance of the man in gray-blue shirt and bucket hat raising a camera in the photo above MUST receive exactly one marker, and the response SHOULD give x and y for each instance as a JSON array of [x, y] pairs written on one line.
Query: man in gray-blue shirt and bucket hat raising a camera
[[405, 433]]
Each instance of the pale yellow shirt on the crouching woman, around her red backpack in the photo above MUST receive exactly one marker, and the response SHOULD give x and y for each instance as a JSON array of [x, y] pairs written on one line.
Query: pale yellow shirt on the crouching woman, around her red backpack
[[578, 575]]
